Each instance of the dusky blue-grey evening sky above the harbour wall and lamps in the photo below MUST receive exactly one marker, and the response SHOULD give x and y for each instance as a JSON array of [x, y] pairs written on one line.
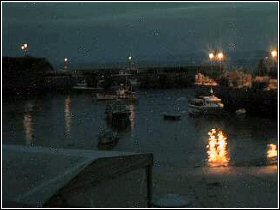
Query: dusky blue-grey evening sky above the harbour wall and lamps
[[158, 32]]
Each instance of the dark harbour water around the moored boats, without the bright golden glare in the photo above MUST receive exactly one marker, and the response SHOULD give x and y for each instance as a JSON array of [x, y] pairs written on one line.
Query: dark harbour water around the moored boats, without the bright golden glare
[[73, 121]]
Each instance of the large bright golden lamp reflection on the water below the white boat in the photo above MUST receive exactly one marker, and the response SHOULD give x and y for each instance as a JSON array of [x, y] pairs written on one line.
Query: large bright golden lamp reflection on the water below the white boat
[[217, 148]]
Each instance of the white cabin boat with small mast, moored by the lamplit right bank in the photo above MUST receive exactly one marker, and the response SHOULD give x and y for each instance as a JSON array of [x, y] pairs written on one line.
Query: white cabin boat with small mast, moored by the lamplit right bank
[[206, 105]]
